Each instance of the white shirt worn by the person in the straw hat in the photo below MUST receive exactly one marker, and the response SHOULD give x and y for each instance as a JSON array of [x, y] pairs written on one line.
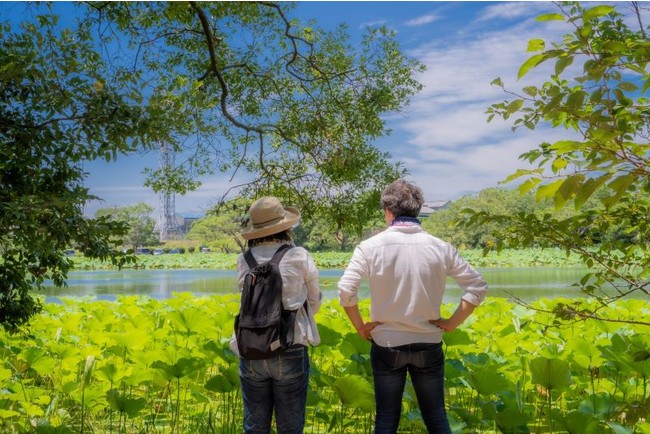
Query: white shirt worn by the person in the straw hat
[[299, 283]]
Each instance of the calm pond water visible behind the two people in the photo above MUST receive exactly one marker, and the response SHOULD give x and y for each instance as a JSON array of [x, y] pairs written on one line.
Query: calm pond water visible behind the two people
[[524, 283]]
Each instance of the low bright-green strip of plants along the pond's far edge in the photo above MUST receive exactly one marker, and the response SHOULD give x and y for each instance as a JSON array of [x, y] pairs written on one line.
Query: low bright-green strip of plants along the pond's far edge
[[530, 257]]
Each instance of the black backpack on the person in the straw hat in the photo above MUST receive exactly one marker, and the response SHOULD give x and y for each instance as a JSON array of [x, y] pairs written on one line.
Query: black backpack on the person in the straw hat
[[263, 327]]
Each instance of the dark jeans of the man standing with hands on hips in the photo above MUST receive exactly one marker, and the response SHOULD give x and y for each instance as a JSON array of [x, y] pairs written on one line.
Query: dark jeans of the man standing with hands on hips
[[425, 363]]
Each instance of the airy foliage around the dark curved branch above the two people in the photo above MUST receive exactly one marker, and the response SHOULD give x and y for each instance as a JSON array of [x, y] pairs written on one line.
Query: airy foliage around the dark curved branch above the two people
[[296, 108]]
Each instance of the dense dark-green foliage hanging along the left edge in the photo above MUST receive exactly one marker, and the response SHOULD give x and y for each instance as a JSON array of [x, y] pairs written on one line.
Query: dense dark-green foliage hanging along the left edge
[[55, 113]]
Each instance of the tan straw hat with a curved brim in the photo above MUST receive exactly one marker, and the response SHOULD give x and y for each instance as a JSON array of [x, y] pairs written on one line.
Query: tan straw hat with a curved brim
[[268, 217]]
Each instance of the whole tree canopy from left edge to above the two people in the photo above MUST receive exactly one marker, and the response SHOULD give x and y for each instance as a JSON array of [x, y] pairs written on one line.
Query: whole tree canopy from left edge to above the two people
[[237, 87]]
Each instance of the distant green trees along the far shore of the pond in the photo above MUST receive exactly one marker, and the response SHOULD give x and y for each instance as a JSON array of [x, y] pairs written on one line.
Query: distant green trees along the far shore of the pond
[[218, 230]]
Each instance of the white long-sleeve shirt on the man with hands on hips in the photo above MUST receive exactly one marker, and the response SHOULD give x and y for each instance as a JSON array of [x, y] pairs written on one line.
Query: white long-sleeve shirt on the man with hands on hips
[[407, 269]]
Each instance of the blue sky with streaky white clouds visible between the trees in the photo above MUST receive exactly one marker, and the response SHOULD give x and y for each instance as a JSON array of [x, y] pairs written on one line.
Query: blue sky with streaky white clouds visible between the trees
[[443, 139]]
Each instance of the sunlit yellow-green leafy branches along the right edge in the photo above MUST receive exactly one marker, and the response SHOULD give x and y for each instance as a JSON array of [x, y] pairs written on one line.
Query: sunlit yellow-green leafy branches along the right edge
[[597, 92]]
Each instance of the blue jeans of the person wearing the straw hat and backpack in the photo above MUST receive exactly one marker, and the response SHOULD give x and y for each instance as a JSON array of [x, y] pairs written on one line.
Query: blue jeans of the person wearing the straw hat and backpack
[[278, 383]]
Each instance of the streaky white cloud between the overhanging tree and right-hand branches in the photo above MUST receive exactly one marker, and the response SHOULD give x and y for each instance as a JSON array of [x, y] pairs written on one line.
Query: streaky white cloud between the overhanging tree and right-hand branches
[[452, 150]]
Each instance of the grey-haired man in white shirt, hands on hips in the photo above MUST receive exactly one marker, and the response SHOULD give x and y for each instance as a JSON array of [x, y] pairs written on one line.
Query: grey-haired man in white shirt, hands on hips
[[407, 270]]
